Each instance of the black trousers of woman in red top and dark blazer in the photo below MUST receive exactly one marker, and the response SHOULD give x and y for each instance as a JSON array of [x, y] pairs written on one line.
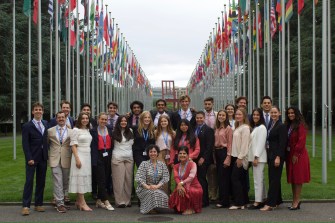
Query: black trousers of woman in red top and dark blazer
[[103, 172]]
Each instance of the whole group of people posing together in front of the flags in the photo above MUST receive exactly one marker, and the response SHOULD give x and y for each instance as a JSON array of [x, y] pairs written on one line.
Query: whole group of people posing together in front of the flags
[[208, 153]]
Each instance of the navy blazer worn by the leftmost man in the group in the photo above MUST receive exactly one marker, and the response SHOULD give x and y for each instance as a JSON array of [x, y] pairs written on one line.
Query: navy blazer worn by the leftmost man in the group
[[34, 144]]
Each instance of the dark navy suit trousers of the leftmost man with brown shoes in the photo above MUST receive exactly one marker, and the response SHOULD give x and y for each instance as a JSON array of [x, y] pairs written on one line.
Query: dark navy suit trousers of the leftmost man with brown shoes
[[40, 168]]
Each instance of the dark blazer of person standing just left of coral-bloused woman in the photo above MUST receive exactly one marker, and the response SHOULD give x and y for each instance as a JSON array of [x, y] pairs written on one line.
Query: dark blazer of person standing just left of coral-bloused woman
[[206, 139]]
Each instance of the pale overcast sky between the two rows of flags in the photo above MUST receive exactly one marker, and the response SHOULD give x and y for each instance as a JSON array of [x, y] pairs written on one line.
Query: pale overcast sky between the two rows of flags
[[167, 36]]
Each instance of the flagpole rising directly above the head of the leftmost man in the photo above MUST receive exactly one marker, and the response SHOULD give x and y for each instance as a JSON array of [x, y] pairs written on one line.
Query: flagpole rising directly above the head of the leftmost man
[[40, 99]]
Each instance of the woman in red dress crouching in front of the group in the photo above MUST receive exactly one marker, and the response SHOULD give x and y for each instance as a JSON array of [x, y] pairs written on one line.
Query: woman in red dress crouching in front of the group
[[187, 196]]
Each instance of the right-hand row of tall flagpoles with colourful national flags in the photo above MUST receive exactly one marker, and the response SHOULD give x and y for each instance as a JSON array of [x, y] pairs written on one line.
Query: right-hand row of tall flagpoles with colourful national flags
[[220, 74]]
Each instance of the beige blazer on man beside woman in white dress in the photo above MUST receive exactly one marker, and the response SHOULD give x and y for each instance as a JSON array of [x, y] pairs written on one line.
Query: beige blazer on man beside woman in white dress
[[59, 153]]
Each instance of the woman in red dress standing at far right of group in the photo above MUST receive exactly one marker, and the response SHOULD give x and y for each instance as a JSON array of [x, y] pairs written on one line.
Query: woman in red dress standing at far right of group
[[297, 161]]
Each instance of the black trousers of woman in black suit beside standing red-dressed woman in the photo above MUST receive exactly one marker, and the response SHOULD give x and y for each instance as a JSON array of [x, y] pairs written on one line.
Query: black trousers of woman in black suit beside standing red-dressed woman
[[274, 193]]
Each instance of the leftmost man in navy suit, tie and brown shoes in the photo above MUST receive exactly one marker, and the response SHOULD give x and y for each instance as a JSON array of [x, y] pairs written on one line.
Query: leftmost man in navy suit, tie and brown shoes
[[35, 148]]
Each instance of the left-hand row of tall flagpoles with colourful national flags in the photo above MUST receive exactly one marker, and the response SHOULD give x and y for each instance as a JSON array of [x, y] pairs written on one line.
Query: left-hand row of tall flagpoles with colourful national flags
[[95, 72]]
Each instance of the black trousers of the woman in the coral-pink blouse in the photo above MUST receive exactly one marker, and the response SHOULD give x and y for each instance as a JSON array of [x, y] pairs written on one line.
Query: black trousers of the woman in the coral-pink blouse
[[224, 176]]
